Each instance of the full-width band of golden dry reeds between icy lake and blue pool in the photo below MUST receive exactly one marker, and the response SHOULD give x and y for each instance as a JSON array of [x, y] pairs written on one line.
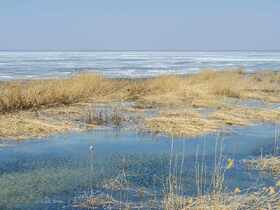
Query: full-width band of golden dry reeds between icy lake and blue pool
[[187, 105]]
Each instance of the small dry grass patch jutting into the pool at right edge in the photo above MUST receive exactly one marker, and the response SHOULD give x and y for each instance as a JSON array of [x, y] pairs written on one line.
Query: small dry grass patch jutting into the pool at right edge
[[269, 164]]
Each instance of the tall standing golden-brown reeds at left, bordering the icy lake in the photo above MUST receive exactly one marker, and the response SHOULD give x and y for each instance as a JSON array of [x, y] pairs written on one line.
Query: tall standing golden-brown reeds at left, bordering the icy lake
[[22, 95]]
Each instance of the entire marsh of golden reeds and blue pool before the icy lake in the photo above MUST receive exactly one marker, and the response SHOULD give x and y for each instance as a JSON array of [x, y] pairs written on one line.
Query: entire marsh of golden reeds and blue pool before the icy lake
[[208, 140]]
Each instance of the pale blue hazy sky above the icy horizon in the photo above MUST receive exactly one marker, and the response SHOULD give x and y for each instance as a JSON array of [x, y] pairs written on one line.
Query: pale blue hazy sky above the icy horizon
[[139, 25]]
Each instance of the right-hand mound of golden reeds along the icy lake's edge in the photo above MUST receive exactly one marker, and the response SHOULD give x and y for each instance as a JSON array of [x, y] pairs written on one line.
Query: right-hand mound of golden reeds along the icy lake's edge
[[206, 89]]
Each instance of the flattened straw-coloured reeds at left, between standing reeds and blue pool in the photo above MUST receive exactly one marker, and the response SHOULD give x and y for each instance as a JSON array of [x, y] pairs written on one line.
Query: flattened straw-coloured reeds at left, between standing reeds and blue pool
[[43, 122]]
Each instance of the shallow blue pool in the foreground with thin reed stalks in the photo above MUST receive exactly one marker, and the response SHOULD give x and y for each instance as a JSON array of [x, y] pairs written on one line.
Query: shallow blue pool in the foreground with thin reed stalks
[[61, 171]]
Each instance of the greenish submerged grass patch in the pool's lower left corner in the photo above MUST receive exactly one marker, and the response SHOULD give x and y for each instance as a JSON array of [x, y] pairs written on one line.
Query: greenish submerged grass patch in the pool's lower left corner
[[17, 189]]
